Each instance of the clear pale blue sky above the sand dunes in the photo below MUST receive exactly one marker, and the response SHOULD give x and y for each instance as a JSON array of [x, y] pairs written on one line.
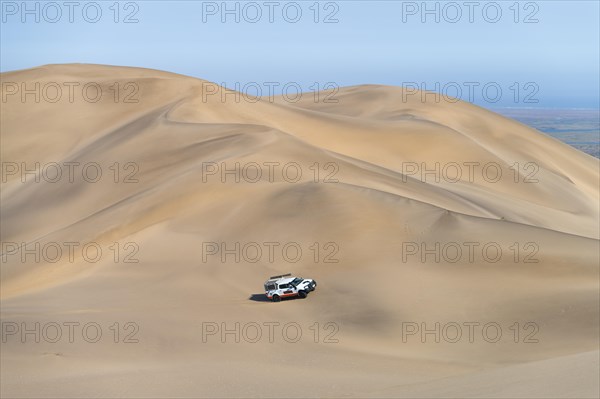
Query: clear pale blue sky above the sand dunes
[[370, 43]]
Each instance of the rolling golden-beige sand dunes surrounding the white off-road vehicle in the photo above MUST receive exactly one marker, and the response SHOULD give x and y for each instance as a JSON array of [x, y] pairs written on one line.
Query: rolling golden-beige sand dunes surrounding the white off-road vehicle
[[387, 238]]
